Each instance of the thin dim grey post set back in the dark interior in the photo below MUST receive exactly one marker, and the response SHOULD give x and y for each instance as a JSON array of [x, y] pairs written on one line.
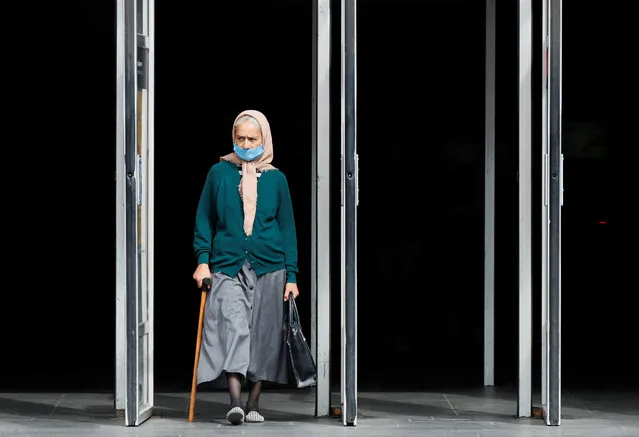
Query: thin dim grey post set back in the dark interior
[[489, 199]]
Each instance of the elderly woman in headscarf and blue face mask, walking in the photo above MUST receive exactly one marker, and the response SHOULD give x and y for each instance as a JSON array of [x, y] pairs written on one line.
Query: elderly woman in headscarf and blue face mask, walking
[[245, 241]]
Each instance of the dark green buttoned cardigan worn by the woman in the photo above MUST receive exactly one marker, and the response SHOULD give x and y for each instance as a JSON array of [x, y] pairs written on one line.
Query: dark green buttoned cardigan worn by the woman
[[219, 237]]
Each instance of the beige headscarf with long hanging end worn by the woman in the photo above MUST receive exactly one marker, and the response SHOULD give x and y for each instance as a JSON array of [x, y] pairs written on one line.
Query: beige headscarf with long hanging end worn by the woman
[[248, 183]]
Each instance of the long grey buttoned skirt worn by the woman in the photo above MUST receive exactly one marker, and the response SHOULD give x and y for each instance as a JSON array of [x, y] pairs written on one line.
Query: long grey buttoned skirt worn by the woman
[[244, 329]]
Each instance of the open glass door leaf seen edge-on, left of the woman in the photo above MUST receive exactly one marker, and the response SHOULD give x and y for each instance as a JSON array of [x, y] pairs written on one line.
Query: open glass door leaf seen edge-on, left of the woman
[[139, 366]]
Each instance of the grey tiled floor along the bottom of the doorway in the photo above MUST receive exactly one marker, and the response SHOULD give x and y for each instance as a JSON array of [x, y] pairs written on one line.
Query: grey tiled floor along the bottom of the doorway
[[477, 412]]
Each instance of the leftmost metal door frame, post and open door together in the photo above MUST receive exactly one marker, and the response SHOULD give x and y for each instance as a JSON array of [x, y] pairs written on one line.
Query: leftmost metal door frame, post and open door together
[[134, 209]]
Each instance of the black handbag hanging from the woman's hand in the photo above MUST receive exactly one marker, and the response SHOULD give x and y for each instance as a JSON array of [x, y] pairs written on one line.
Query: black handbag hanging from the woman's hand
[[299, 352]]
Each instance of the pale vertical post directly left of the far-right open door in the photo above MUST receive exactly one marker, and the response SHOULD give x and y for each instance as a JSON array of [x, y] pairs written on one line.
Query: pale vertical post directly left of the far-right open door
[[524, 398]]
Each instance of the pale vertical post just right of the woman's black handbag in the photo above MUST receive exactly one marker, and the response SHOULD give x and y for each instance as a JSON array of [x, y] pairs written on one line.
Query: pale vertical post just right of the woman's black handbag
[[320, 205]]
